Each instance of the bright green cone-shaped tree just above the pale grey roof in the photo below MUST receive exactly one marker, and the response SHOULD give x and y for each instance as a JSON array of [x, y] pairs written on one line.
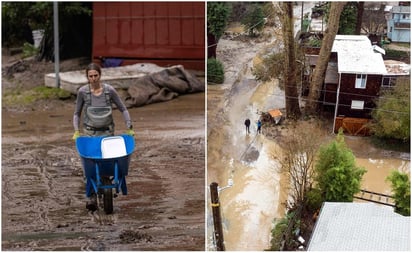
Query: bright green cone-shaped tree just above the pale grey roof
[[337, 176]]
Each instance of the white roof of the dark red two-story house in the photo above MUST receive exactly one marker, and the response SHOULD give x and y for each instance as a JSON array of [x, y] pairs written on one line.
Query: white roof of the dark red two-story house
[[356, 55]]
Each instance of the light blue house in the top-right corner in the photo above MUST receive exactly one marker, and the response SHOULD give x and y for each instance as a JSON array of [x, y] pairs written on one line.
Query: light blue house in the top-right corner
[[399, 24]]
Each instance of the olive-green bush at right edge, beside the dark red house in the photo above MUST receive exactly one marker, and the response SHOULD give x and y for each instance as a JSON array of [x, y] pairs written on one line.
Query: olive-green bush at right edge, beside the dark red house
[[392, 113]]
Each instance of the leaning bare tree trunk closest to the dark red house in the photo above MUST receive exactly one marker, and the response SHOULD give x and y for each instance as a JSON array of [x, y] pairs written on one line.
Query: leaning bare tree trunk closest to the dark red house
[[318, 75]]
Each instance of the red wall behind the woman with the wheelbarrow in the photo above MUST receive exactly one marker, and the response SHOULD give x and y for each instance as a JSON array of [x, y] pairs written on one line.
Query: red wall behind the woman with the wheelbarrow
[[164, 33]]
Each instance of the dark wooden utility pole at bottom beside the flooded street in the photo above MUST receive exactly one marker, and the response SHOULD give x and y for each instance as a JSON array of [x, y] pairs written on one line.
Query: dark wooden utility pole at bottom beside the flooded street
[[217, 221]]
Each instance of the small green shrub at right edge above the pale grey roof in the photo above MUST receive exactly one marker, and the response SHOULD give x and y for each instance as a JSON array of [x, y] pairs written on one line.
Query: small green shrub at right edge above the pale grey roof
[[401, 187]]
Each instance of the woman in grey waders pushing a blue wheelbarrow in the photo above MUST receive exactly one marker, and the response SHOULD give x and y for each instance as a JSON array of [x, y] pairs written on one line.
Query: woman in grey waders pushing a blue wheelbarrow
[[105, 157]]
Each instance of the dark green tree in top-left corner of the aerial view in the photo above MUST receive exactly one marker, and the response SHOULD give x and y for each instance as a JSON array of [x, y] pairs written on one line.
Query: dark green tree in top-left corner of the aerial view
[[217, 18]]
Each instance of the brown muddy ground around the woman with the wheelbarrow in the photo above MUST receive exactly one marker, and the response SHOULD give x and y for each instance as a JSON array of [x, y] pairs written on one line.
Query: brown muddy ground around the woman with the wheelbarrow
[[43, 191]]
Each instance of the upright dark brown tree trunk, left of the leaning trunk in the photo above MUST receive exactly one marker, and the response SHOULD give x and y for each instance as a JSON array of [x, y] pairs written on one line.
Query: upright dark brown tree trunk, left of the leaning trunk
[[291, 90]]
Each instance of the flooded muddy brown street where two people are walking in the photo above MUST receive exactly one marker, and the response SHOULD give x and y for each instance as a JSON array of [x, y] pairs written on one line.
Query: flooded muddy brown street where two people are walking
[[250, 205]]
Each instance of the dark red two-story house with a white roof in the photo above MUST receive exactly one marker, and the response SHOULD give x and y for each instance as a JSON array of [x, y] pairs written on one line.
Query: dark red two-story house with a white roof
[[353, 80]]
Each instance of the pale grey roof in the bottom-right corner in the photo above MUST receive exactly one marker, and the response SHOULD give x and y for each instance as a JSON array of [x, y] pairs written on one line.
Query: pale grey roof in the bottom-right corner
[[361, 227]]
